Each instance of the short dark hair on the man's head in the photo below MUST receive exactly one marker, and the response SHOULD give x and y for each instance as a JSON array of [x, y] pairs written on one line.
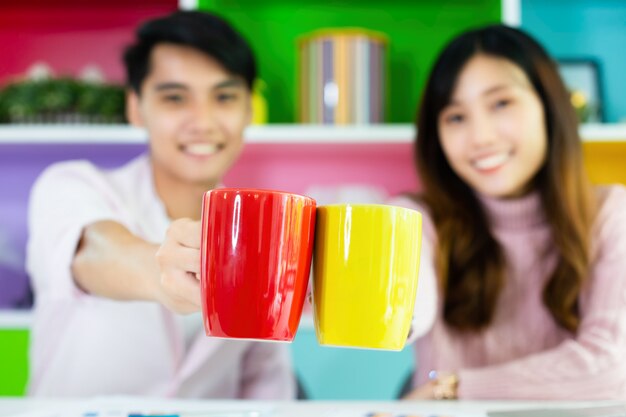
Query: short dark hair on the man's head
[[203, 31]]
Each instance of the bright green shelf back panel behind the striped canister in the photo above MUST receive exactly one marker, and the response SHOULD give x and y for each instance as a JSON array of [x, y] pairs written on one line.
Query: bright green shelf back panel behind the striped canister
[[417, 31]]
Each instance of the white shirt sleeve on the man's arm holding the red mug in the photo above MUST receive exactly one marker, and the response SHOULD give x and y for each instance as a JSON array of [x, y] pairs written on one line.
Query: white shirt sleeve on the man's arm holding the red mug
[[64, 199]]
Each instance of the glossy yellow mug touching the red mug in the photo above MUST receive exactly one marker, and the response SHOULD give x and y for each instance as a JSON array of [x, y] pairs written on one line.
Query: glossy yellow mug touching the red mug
[[365, 268]]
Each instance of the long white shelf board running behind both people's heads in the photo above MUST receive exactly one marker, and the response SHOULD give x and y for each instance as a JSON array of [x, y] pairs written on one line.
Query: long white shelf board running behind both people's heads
[[265, 134]]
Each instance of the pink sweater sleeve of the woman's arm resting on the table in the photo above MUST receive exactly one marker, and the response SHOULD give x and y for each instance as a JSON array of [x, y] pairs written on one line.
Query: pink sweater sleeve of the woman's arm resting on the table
[[589, 366]]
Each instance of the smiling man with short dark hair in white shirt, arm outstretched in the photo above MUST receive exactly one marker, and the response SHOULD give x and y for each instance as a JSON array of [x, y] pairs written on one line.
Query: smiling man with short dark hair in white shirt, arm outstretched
[[114, 255]]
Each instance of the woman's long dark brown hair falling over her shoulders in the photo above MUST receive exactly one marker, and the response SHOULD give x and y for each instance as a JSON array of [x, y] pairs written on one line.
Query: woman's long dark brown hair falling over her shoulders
[[469, 260]]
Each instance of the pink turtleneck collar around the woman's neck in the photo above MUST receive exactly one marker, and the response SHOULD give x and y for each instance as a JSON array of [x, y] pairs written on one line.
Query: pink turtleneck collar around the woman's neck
[[516, 213]]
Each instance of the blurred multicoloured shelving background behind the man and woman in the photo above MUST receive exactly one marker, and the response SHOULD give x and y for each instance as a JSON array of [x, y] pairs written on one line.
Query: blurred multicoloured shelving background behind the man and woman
[[61, 97]]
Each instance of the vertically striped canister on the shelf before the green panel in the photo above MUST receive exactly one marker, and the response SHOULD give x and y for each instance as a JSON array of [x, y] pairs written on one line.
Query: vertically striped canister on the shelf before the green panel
[[342, 76]]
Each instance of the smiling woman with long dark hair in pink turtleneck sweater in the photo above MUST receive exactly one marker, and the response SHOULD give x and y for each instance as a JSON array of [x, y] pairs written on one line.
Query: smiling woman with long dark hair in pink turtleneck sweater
[[529, 257]]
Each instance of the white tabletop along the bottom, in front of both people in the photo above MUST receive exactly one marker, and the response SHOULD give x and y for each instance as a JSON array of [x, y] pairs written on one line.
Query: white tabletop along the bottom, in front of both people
[[123, 406]]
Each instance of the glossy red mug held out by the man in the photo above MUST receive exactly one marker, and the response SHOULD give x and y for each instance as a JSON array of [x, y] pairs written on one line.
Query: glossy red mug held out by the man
[[256, 256]]
